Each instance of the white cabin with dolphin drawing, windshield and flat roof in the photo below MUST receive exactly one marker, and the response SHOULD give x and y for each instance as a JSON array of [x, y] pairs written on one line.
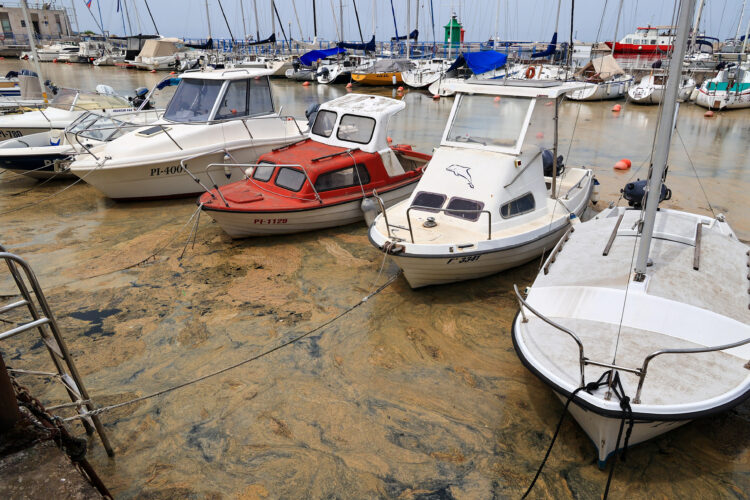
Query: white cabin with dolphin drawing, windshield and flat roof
[[494, 152]]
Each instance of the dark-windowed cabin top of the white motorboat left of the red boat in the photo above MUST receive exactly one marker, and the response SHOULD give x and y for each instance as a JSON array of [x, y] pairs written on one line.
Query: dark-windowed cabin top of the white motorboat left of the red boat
[[219, 95]]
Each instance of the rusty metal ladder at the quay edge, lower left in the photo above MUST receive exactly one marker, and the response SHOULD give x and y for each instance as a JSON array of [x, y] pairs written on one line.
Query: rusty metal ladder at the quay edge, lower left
[[44, 321]]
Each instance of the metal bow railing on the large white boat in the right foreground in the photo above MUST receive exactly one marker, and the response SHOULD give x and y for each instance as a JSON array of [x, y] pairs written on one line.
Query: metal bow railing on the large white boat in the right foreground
[[640, 372]]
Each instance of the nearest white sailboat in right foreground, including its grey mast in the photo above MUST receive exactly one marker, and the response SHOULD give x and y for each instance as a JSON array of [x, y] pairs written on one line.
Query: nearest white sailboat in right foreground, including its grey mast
[[639, 318]]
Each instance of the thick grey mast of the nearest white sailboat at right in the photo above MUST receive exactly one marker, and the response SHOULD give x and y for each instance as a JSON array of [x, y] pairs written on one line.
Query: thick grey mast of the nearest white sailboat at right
[[663, 136]]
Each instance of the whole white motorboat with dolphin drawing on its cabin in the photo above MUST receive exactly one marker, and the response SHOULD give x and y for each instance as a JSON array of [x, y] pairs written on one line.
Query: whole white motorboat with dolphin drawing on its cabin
[[484, 203]]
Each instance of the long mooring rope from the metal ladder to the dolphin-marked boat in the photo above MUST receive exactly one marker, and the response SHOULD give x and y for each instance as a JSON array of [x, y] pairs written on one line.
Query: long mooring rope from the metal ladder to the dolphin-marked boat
[[255, 357]]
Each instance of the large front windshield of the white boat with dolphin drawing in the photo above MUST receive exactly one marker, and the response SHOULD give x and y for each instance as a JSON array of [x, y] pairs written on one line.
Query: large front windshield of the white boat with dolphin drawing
[[488, 120]]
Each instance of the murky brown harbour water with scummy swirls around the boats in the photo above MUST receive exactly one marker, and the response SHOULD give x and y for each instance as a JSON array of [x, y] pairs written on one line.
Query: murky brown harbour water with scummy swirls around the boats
[[414, 394]]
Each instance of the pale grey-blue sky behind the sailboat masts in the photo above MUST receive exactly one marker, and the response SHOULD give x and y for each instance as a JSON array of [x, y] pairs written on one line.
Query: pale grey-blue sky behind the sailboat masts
[[511, 19]]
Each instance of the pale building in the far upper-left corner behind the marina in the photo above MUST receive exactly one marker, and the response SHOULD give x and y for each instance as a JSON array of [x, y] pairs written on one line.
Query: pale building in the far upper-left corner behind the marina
[[48, 22]]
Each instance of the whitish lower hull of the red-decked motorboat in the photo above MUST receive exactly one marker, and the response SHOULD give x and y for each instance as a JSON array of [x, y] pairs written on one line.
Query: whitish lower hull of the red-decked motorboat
[[248, 224]]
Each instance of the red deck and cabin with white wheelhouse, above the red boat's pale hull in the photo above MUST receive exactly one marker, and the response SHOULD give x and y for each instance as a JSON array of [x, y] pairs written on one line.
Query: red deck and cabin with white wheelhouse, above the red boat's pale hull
[[346, 153]]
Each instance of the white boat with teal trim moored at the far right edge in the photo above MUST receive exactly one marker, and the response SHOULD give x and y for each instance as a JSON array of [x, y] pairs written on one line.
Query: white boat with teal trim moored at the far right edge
[[730, 89]]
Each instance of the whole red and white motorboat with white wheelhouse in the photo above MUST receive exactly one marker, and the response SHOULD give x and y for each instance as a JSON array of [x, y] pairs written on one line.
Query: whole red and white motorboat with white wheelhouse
[[322, 181]]
